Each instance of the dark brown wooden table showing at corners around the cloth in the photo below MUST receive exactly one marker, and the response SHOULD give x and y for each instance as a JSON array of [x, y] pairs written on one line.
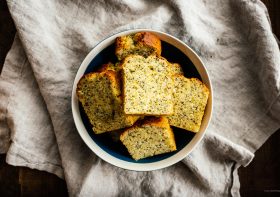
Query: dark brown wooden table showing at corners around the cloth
[[260, 178]]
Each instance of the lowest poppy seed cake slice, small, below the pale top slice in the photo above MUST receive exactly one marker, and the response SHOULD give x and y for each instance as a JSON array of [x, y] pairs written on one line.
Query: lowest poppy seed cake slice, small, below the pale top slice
[[149, 137]]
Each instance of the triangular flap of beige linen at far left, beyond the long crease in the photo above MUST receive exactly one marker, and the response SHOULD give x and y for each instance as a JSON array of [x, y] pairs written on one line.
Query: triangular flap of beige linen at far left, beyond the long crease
[[32, 141]]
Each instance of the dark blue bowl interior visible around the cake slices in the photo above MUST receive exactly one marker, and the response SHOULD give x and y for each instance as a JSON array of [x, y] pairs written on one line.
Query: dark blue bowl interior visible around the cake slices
[[116, 149]]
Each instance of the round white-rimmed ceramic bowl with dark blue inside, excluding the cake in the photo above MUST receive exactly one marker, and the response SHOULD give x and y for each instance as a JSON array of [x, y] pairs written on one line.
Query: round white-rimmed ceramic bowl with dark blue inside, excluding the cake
[[115, 153]]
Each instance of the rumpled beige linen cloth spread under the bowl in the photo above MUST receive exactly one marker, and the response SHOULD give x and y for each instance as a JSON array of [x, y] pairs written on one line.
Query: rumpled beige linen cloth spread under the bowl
[[234, 39]]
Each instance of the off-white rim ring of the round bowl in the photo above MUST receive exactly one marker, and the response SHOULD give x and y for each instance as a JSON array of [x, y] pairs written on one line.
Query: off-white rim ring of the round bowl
[[126, 164]]
